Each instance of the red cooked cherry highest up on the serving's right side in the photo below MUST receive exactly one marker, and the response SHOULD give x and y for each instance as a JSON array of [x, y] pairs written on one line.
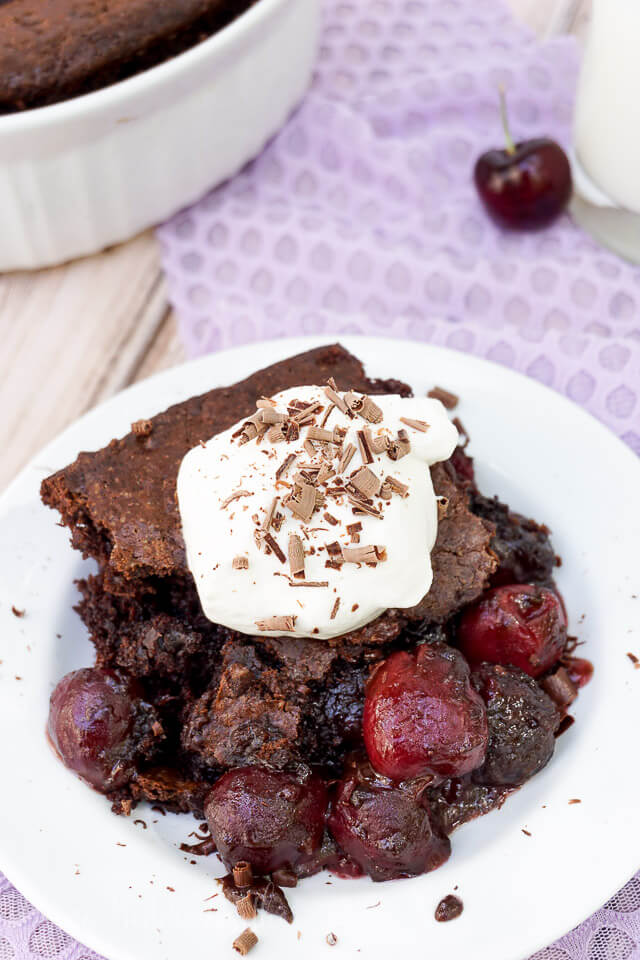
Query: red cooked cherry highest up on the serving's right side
[[520, 624]]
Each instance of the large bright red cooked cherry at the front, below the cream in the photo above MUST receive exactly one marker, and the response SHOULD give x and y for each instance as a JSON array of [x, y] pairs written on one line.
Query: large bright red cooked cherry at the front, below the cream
[[422, 716]]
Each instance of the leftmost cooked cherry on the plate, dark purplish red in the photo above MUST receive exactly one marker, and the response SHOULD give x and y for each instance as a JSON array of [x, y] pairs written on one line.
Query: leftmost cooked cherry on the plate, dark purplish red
[[99, 725]]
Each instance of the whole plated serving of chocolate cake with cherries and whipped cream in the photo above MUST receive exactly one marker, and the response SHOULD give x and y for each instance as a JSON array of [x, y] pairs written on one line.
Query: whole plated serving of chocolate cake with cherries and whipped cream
[[311, 628]]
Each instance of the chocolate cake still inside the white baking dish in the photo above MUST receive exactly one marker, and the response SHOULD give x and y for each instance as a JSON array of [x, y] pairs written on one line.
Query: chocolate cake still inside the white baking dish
[[52, 50]]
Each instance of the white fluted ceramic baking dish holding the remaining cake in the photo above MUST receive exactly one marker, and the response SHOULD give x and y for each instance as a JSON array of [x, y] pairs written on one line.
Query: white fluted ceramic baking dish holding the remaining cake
[[81, 175]]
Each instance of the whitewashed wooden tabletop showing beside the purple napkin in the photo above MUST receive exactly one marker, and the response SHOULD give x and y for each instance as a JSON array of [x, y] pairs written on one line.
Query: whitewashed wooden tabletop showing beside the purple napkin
[[73, 335]]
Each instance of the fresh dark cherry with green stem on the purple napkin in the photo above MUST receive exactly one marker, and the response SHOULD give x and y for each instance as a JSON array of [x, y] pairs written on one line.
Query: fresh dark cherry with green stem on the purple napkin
[[526, 185]]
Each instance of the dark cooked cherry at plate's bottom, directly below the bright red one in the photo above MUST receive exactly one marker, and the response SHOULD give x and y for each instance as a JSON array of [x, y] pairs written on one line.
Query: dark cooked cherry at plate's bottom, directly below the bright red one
[[383, 827]]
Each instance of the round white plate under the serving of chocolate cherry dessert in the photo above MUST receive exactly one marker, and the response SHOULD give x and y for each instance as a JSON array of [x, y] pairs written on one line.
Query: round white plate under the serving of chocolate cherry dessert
[[104, 878]]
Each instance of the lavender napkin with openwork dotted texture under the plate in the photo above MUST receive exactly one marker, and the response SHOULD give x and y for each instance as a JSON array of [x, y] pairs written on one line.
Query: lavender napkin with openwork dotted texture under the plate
[[361, 217]]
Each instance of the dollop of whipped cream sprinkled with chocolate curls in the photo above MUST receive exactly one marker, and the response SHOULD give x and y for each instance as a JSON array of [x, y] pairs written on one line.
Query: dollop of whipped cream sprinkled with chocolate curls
[[317, 513]]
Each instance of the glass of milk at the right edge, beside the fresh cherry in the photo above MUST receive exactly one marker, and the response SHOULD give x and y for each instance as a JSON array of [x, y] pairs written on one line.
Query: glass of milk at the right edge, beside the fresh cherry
[[607, 128]]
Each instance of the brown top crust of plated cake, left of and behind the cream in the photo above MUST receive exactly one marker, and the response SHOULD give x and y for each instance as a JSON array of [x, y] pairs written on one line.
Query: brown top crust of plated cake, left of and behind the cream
[[120, 502]]
